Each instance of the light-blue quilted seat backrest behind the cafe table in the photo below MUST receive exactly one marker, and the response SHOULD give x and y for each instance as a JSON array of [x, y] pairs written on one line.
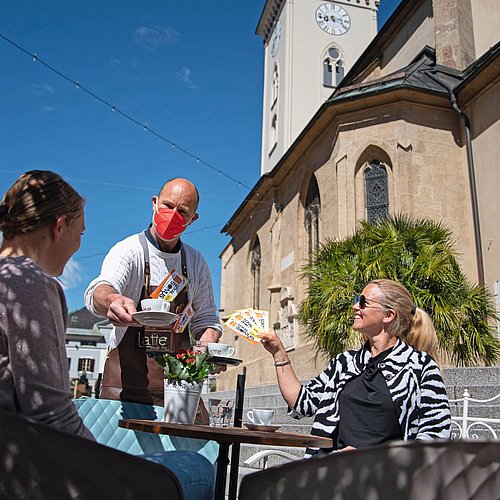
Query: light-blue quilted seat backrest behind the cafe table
[[101, 416]]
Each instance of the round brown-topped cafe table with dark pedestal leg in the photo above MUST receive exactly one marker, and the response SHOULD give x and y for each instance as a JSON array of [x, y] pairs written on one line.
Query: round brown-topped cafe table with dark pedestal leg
[[225, 437]]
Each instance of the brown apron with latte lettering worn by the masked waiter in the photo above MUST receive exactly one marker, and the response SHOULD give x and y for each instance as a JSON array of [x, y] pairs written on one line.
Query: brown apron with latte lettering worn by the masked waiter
[[130, 371]]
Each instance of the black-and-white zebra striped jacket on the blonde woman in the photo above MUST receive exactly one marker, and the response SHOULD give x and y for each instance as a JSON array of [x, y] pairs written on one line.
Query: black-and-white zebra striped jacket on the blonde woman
[[414, 382]]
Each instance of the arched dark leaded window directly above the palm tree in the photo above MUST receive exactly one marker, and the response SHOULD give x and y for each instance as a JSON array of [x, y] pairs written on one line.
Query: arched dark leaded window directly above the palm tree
[[376, 191]]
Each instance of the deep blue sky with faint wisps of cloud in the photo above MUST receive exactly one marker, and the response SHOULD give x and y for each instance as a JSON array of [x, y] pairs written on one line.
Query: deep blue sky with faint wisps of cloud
[[192, 72]]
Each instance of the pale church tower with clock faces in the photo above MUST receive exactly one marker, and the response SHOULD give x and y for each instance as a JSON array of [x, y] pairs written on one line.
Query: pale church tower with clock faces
[[309, 47]]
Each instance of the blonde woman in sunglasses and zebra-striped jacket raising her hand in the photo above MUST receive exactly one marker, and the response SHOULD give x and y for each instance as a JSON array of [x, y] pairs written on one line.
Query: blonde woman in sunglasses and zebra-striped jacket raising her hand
[[390, 389]]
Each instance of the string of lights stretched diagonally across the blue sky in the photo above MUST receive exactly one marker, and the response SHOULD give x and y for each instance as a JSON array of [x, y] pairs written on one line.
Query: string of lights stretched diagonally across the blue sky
[[125, 115]]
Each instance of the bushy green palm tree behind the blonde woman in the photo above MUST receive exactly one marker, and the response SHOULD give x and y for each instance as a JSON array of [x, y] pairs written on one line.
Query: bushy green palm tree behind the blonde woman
[[417, 253]]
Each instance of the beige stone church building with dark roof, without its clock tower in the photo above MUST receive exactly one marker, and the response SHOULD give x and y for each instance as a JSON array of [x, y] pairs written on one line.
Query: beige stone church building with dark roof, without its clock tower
[[412, 128]]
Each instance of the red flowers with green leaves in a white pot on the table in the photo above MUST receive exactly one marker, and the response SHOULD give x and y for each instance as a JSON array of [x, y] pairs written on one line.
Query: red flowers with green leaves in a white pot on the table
[[183, 374]]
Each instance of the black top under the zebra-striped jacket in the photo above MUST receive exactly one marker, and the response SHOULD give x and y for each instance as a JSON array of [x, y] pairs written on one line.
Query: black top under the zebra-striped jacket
[[368, 415]]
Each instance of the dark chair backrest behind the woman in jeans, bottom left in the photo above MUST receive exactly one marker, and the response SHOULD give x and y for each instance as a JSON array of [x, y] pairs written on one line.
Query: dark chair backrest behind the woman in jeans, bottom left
[[40, 462]]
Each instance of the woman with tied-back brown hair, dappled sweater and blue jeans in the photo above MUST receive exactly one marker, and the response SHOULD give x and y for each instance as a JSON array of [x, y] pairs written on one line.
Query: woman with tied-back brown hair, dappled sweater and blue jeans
[[42, 220]]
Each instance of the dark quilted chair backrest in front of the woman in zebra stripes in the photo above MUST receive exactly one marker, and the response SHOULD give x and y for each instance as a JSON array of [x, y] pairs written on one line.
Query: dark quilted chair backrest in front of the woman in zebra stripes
[[417, 470]]
